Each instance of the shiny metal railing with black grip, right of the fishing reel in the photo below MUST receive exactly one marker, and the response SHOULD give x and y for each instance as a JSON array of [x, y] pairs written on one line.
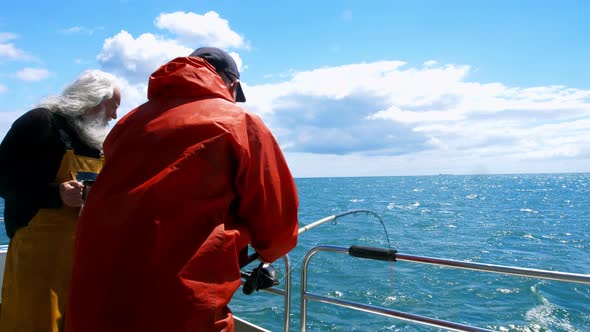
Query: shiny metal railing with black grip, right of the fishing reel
[[392, 255]]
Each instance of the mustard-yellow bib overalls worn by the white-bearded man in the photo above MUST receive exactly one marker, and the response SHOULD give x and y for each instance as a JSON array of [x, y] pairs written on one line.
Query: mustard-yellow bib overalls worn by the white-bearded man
[[39, 260]]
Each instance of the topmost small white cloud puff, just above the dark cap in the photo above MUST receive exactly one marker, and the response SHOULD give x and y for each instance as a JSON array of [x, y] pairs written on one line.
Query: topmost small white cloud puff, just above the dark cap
[[200, 30]]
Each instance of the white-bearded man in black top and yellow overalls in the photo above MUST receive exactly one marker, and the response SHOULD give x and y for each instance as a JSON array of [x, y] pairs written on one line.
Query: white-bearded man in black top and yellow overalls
[[44, 158]]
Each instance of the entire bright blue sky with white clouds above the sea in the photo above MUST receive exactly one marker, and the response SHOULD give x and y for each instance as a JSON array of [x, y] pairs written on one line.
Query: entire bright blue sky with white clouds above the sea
[[349, 88]]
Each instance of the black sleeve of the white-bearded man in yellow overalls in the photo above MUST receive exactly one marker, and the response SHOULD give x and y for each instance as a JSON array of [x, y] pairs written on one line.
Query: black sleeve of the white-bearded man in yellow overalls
[[30, 155]]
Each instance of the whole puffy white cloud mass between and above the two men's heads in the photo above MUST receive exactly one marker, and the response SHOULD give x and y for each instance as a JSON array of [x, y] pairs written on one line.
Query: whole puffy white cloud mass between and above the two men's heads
[[132, 59]]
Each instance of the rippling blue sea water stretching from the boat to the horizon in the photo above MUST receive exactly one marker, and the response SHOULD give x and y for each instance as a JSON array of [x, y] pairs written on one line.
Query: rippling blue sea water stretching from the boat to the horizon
[[532, 221]]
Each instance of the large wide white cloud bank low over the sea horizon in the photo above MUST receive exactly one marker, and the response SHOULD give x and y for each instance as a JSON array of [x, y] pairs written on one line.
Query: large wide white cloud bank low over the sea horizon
[[385, 112]]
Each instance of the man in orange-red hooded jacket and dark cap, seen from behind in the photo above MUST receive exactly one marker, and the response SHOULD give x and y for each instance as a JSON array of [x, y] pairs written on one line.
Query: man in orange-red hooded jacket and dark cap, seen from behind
[[189, 180]]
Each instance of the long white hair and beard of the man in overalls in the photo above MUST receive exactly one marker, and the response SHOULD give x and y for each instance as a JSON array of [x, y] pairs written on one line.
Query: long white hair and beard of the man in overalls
[[89, 90]]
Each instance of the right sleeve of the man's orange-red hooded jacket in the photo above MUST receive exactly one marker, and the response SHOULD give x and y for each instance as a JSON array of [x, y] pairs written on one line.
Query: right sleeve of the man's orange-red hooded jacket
[[268, 200]]
